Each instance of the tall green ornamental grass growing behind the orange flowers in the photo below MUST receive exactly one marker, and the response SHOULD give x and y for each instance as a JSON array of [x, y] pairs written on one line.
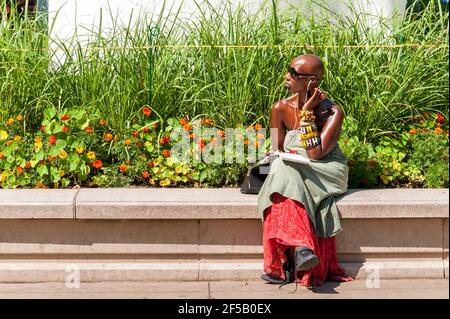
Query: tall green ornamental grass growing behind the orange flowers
[[380, 87]]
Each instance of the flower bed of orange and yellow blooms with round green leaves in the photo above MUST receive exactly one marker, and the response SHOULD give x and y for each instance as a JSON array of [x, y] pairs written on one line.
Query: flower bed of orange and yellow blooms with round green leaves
[[75, 147]]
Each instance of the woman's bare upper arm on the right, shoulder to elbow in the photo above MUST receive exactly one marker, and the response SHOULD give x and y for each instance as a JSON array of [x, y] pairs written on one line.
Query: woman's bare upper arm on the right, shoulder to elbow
[[329, 136]]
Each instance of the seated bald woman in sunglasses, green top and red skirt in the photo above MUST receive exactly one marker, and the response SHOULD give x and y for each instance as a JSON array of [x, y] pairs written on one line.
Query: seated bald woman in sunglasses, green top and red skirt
[[296, 201]]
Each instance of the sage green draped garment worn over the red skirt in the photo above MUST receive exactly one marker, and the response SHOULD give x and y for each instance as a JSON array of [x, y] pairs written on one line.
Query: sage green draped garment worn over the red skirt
[[315, 185]]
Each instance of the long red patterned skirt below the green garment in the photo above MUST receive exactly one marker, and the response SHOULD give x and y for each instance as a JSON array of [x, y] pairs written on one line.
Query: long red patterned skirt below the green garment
[[286, 224]]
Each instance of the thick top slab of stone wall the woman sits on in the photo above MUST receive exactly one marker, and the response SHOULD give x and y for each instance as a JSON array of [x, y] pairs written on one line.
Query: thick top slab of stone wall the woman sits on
[[219, 203]]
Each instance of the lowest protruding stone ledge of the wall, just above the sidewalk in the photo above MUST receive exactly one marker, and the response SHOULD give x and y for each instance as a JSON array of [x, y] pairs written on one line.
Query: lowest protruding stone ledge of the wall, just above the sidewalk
[[192, 270]]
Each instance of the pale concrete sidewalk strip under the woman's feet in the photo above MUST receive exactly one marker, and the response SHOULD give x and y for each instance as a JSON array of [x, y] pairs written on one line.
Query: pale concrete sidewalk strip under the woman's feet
[[388, 289]]
